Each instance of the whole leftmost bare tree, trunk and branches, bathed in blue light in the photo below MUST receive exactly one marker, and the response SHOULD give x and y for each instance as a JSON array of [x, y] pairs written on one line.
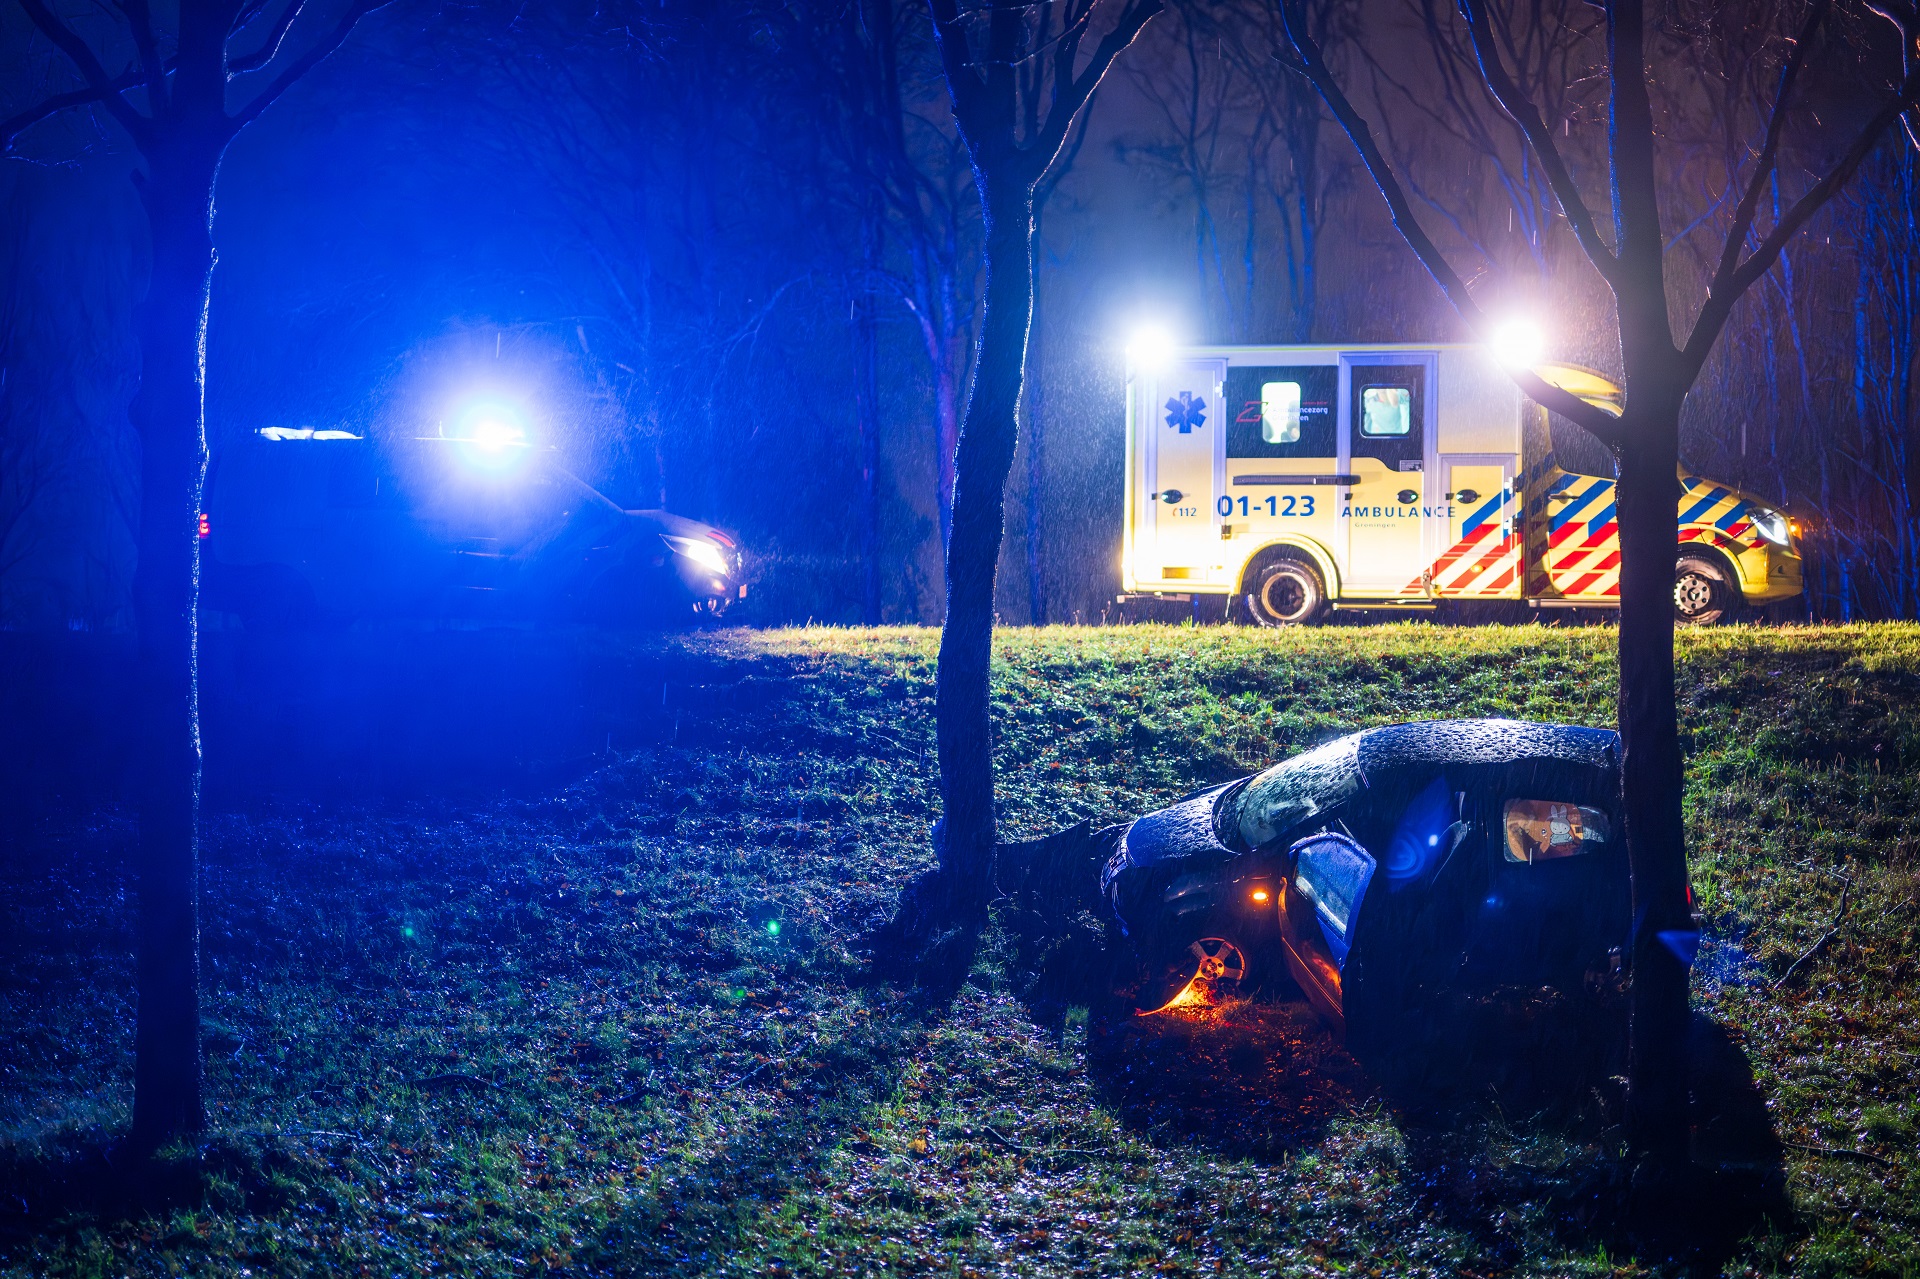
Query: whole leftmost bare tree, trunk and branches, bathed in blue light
[[183, 99]]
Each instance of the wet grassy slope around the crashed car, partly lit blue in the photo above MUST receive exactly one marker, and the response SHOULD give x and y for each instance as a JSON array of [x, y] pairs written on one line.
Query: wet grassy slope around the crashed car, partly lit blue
[[615, 1026]]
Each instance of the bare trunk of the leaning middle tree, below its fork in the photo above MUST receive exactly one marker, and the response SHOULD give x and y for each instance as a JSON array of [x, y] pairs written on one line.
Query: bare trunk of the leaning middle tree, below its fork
[[984, 460]]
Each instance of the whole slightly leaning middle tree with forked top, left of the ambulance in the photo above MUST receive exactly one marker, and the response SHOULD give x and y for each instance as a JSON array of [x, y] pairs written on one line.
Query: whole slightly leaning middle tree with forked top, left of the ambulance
[[1013, 128]]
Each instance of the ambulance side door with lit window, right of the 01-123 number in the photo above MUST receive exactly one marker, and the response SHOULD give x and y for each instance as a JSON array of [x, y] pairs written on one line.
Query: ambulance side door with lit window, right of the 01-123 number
[[1387, 429]]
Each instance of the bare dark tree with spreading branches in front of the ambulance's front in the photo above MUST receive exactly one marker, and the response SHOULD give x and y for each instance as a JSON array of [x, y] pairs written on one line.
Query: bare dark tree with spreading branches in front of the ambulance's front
[[1646, 439]]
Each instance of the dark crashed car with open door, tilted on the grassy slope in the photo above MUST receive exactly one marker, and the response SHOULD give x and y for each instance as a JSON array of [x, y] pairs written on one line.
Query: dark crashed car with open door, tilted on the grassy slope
[[1387, 871]]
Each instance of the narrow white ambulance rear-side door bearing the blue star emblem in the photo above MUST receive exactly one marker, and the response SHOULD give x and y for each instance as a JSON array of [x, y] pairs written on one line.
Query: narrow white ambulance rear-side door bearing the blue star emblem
[[1188, 454]]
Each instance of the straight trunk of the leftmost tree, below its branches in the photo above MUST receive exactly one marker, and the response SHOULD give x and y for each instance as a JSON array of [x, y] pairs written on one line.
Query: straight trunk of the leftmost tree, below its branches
[[168, 414]]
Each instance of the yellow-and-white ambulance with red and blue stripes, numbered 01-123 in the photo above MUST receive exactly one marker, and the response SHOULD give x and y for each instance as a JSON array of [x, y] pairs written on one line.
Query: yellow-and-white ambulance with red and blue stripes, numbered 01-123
[[1295, 481]]
